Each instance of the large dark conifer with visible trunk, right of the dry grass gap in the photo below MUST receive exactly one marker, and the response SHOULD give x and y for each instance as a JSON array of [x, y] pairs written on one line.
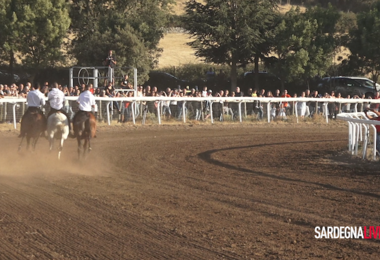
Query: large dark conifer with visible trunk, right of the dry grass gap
[[228, 32]]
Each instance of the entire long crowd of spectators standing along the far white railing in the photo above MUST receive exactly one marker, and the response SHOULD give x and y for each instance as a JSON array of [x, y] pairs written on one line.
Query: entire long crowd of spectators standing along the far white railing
[[196, 109]]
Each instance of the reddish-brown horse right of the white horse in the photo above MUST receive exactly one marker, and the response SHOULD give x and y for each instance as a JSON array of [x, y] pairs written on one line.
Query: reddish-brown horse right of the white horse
[[84, 124]]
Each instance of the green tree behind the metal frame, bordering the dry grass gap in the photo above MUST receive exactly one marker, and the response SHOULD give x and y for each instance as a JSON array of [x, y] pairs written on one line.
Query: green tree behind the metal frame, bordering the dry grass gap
[[132, 29]]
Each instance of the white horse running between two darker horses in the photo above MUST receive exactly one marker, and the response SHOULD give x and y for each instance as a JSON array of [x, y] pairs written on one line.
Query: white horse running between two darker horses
[[57, 128]]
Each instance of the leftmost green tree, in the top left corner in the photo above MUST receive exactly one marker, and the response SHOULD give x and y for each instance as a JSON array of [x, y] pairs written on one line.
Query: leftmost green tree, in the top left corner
[[34, 31]]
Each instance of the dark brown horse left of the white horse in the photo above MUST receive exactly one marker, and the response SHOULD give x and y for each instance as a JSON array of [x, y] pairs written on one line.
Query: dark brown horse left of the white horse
[[32, 125]]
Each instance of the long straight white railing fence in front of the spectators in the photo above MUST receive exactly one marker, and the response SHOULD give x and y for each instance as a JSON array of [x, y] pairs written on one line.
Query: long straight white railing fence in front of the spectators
[[184, 108]]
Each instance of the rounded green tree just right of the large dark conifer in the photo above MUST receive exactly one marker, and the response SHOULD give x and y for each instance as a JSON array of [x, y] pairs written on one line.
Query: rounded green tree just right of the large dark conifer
[[304, 44]]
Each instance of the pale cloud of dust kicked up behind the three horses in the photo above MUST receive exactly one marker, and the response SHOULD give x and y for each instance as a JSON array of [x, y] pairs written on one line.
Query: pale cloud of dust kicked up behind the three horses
[[42, 162]]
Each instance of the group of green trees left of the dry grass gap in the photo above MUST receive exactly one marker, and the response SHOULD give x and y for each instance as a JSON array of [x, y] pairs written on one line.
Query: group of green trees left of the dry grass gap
[[37, 34]]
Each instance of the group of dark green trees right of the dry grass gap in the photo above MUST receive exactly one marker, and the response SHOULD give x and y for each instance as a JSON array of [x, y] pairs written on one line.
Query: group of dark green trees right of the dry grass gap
[[294, 46]]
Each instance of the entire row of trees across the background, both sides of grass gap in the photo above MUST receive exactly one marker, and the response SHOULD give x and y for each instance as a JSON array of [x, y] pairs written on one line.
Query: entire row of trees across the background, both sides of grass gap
[[295, 46]]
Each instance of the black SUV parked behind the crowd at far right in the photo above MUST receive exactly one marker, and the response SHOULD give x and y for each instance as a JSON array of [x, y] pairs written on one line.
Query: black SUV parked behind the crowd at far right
[[348, 86]]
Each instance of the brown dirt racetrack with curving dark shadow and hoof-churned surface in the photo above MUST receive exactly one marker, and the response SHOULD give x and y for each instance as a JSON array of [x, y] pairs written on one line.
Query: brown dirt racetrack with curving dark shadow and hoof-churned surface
[[188, 192]]
